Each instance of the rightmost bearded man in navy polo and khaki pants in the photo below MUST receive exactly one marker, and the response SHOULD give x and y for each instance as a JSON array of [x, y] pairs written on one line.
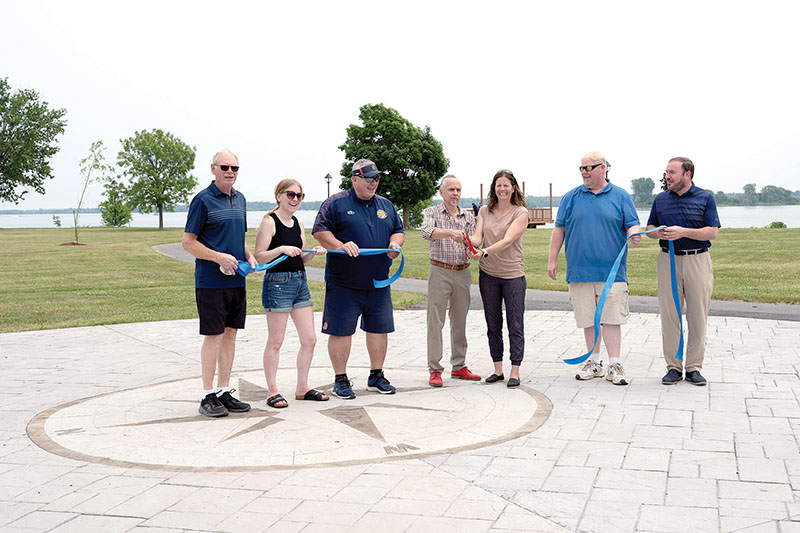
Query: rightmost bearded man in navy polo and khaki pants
[[690, 216]]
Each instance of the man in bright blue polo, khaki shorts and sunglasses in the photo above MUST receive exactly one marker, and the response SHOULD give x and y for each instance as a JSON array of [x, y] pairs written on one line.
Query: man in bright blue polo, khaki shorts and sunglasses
[[595, 219]]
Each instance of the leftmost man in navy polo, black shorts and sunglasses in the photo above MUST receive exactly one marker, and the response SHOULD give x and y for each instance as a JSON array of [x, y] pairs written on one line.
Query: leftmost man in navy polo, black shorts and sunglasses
[[214, 234]]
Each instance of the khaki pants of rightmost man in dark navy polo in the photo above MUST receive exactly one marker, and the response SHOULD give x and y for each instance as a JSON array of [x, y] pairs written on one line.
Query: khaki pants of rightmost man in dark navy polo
[[695, 277]]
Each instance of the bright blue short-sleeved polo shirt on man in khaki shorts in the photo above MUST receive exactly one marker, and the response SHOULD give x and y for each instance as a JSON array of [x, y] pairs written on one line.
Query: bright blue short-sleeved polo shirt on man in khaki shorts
[[595, 230]]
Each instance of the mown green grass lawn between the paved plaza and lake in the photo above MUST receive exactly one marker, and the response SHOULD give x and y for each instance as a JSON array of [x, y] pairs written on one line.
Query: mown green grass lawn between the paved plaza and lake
[[117, 277]]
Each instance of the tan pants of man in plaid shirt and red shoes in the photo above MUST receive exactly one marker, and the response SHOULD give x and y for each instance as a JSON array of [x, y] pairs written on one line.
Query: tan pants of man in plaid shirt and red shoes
[[445, 286]]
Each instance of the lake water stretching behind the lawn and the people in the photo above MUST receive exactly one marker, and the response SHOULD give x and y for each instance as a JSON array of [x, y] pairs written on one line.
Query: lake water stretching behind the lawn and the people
[[731, 217]]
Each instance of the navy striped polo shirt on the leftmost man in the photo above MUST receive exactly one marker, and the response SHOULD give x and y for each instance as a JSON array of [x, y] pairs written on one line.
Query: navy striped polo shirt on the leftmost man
[[220, 223]]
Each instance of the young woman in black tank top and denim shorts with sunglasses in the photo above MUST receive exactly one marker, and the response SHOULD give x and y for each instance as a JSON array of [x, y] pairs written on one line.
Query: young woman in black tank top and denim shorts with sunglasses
[[285, 290]]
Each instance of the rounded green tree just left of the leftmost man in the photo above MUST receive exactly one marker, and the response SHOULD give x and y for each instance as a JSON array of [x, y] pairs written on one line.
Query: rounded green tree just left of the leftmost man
[[159, 166]]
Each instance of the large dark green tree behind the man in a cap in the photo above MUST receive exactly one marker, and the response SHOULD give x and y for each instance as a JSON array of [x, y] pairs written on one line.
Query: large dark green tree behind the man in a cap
[[412, 158]]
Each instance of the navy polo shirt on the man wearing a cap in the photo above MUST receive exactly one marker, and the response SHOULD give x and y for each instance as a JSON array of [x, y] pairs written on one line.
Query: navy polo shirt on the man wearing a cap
[[369, 224]]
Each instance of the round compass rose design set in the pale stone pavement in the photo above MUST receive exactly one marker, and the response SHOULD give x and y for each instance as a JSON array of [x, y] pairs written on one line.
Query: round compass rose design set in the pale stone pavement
[[158, 426]]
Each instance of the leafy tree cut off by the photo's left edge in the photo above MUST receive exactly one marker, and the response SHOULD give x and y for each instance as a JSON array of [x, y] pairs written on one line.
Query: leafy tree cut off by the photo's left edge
[[28, 129]]
